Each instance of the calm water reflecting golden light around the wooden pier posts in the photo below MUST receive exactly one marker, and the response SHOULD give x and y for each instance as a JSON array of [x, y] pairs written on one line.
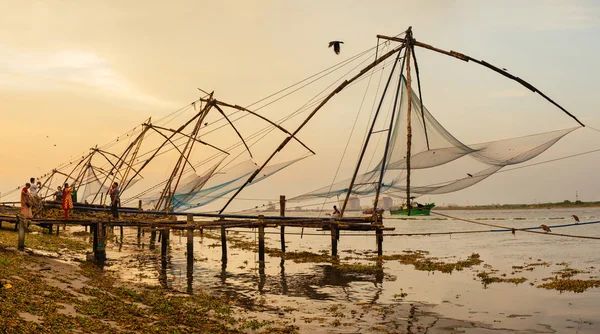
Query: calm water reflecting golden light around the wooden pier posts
[[502, 306]]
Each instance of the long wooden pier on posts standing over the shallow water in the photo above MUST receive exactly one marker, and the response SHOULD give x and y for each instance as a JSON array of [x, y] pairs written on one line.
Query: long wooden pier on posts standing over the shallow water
[[139, 219]]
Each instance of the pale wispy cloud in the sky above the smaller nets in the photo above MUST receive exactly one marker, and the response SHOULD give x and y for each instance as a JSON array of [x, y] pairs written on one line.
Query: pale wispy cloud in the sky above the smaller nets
[[73, 70]]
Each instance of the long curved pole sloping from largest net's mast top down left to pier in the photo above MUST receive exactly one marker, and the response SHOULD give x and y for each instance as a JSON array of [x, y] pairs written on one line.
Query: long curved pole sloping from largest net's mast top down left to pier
[[308, 118]]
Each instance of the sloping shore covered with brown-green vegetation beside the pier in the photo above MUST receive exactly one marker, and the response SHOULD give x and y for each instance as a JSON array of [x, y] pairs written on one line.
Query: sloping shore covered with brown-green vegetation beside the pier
[[93, 300]]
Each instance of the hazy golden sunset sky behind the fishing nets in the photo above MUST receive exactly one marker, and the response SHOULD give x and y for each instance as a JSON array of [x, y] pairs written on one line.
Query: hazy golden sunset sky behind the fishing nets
[[74, 74]]
